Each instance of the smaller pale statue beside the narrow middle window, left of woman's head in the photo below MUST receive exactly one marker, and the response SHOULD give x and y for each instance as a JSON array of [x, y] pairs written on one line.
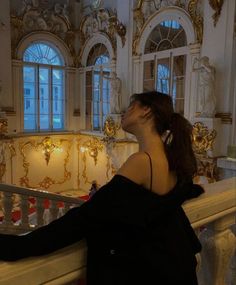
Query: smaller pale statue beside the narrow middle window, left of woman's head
[[115, 93]]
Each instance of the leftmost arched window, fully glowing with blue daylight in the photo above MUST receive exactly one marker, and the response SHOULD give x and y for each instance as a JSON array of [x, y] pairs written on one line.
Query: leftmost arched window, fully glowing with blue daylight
[[44, 88]]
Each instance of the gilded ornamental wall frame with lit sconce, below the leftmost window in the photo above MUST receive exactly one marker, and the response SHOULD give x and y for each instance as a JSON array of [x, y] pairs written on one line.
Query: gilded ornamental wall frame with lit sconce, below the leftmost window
[[40, 147]]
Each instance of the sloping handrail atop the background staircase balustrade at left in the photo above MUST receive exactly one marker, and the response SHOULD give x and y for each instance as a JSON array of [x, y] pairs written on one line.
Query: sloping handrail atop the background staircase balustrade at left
[[39, 193]]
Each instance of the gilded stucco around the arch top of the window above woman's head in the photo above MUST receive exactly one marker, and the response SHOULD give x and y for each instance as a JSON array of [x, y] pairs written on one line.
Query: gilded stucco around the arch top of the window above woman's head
[[146, 8]]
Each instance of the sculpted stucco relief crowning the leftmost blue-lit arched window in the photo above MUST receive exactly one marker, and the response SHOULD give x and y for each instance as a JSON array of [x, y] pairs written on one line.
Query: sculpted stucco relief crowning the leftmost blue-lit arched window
[[35, 16]]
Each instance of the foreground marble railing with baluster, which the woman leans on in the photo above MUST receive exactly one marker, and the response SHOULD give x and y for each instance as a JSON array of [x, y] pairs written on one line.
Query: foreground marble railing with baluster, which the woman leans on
[[212, 215]]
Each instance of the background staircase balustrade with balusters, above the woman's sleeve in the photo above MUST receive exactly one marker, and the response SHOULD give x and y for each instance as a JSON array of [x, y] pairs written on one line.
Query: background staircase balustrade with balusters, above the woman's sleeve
[[16, 199]]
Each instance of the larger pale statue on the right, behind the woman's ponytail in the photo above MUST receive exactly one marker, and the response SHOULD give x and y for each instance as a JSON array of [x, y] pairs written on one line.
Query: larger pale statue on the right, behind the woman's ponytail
[[206, 86]]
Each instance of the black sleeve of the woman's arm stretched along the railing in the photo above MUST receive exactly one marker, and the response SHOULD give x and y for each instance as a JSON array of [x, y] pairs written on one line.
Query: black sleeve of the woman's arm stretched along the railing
[[70, 228]]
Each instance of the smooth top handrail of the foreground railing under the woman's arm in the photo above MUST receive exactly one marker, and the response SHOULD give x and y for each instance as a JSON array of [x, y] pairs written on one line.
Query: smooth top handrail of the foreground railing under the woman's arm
[[69, 264]]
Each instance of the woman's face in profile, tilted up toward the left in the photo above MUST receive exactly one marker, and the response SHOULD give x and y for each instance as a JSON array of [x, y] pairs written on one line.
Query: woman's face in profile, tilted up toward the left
[[131, 117]]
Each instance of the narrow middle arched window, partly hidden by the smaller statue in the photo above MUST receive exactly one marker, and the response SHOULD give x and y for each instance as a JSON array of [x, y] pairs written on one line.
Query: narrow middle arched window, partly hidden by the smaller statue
[[97, 87]]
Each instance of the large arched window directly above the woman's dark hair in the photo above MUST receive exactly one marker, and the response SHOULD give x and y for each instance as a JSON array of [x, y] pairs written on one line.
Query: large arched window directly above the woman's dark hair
[[165, 61]]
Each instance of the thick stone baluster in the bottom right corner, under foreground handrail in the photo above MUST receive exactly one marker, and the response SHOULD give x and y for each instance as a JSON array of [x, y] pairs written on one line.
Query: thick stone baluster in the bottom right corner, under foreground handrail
[[220, 248]]
